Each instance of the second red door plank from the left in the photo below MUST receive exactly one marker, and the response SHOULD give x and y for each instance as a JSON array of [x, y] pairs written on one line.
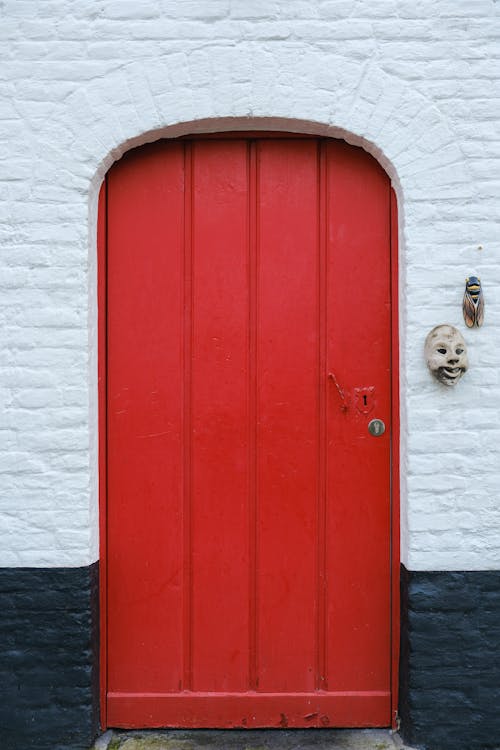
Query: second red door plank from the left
[[219, 512]]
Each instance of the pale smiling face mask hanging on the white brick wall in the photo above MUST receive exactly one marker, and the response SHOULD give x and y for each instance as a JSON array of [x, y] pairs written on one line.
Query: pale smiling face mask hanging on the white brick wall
[[446, 354]]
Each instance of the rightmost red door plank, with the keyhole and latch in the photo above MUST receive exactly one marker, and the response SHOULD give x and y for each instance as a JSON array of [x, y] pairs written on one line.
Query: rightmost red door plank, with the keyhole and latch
[[358, 351]]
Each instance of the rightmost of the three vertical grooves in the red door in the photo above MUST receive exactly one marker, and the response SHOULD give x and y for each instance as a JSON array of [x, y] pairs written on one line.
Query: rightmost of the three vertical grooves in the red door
[[321, 584]]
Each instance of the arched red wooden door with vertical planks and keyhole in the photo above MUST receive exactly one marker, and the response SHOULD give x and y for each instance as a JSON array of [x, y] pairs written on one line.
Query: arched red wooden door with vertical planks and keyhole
[[248, 506]]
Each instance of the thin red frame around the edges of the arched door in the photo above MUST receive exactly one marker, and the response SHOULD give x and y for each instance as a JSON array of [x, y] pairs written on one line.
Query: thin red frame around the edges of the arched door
[[102, 424]]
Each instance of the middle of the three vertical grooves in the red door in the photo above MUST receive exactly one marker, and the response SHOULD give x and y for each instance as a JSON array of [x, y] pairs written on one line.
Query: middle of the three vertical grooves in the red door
[[252, 167]]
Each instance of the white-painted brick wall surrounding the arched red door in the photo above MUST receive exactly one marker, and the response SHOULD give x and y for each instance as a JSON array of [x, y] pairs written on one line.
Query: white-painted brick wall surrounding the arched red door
[[415, 83]]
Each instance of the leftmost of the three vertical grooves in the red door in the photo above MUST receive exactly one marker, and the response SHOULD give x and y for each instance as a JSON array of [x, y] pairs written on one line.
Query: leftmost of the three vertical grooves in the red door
[[187, 417]]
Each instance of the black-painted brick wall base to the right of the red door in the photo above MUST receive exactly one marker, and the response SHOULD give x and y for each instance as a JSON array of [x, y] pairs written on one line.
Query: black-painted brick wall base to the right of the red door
[[450, 660]]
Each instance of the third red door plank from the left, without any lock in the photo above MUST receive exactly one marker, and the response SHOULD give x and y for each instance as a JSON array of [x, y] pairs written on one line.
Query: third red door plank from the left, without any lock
[[287, 413]]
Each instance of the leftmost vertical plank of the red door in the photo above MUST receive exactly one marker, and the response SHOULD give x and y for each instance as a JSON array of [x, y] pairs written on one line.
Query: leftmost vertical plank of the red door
[[144, 519]]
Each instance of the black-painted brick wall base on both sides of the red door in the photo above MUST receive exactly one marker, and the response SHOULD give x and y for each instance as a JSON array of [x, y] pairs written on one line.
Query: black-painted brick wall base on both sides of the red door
[[49, 674]]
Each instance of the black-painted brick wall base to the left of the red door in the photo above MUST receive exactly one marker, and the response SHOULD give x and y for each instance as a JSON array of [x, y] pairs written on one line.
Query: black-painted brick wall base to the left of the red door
[[48, 658]]
